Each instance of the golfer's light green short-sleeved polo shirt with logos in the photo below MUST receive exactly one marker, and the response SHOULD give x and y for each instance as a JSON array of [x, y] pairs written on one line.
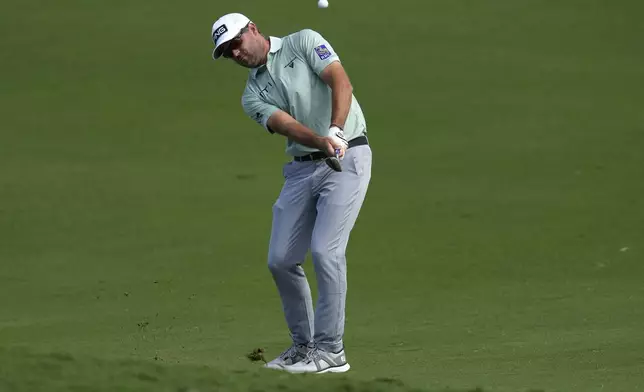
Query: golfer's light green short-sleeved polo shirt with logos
[[290, 81]]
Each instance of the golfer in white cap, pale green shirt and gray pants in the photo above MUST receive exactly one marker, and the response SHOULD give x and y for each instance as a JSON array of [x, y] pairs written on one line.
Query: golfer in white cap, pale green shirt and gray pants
[[298, 88]]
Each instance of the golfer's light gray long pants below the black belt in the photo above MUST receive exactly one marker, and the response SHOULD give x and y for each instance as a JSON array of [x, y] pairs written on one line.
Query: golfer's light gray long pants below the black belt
[[316, 210]]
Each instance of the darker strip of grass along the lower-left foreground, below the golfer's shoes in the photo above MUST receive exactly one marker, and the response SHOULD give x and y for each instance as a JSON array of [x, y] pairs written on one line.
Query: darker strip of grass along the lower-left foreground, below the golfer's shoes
[[24, 371]]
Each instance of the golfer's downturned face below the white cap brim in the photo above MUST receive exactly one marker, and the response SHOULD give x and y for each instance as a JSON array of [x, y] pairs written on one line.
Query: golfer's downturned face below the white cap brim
[[247, 49]]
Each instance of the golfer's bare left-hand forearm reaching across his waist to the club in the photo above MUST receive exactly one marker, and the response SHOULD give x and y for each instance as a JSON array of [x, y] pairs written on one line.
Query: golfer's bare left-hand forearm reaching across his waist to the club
[[282, 123]]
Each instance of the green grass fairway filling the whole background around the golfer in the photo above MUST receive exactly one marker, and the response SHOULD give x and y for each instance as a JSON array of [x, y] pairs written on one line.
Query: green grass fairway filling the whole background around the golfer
[[500, 246]]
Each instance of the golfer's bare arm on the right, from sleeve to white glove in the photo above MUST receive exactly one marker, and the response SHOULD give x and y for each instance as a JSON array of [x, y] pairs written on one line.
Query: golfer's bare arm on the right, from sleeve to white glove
[[335, 77]]
